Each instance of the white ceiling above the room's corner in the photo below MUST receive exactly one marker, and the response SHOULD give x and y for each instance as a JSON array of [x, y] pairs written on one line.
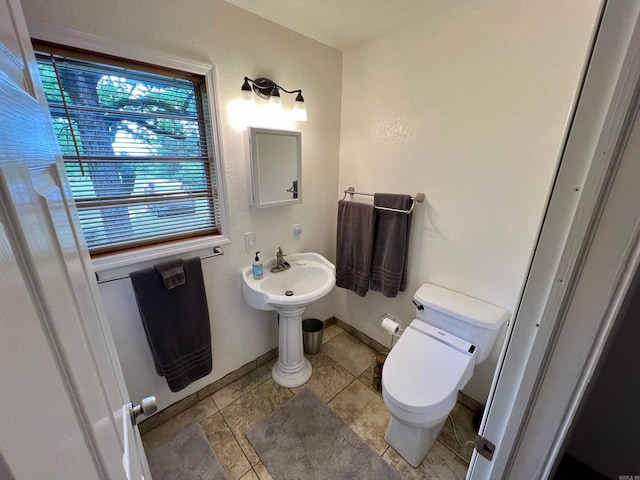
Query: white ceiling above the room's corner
[[344, 24]]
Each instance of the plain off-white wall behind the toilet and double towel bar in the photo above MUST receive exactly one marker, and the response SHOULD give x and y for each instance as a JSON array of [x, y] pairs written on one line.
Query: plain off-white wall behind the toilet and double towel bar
[[469, 107]]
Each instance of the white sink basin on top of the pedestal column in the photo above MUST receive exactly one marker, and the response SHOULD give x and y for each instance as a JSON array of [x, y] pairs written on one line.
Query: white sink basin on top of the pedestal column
[[310, 278]]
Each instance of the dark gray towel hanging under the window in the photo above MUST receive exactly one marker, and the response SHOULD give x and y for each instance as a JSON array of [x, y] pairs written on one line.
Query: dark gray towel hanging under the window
[[176, 323]]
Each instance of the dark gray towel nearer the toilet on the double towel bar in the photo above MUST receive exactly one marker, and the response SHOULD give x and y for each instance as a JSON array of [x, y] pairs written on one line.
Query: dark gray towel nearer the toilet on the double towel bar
[[391, 246]]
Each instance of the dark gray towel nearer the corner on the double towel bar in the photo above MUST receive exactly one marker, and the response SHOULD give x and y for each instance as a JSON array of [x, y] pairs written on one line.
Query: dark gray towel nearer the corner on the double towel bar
[[356, 224]]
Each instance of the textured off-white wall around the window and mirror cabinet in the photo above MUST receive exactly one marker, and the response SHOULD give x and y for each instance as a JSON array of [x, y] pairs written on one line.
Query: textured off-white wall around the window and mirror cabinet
[[238, 44]]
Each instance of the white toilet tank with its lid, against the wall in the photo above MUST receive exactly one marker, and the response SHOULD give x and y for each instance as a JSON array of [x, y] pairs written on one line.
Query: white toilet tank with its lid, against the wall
[[466, 317]]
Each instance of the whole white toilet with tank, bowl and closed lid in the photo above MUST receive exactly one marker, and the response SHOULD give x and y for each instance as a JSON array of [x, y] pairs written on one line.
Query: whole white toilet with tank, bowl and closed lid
[[433, 359]]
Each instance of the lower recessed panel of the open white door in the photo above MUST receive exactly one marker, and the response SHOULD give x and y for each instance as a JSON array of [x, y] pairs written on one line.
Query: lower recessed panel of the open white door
[[28, 368]]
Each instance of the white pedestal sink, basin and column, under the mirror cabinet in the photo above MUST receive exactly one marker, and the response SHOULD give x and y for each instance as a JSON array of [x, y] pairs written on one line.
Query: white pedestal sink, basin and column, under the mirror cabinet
[[310, 278]]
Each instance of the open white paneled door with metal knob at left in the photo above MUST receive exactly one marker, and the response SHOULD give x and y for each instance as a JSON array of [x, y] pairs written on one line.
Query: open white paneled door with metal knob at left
[[62, 392]]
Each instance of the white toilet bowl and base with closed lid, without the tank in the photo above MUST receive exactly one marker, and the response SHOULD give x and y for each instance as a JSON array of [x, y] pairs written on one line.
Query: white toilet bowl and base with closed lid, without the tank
[[420, 383]]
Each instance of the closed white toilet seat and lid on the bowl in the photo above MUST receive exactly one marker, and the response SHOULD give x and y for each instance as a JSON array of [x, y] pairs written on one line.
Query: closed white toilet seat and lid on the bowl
[[423, 374]]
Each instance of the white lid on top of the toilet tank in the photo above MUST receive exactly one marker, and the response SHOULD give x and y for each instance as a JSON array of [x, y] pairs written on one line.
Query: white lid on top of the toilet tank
[[466, 308]]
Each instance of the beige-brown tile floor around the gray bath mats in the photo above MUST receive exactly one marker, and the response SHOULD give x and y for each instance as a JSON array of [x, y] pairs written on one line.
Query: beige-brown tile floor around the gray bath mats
[[342, 375]]
